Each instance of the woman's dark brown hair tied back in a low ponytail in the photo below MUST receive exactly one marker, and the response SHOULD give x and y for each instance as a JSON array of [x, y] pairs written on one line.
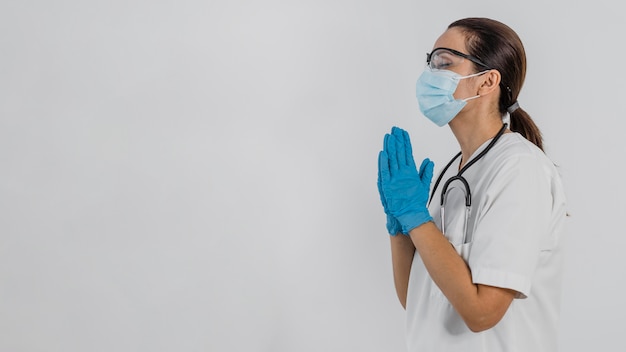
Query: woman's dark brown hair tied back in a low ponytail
[[500, 48]]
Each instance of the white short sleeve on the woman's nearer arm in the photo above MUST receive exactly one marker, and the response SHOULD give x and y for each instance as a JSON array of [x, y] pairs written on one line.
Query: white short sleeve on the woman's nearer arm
[[513, 216]]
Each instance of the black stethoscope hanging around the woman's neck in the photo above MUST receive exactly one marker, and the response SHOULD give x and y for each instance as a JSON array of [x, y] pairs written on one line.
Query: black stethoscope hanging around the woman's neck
[[459, 177]]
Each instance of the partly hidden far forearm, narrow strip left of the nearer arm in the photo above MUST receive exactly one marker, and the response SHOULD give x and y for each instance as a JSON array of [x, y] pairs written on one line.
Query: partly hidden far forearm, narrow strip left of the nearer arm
[[402, 252]]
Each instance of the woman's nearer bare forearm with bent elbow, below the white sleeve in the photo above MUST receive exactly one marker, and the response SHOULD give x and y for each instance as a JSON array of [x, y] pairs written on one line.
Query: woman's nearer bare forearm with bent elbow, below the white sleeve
[[481, 307]]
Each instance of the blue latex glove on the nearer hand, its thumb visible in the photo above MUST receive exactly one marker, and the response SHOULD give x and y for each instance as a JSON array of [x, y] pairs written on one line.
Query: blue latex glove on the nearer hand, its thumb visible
[[405, 189]]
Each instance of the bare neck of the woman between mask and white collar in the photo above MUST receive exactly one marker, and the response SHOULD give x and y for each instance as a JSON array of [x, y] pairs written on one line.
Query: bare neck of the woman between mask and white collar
[[472, 134]]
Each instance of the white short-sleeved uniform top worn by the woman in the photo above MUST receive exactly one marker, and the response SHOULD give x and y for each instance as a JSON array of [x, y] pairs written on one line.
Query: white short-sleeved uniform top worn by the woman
[[514, 241]]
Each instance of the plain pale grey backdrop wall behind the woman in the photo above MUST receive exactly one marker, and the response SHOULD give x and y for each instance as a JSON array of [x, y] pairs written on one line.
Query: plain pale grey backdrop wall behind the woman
[[201, 175]]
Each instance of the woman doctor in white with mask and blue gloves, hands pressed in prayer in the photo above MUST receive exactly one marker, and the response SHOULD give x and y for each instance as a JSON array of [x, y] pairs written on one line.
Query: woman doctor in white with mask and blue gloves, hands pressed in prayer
[[476, 259]]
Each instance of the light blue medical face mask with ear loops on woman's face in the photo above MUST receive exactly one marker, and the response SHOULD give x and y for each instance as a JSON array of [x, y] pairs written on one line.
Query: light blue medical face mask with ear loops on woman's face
[[434, 91]]
